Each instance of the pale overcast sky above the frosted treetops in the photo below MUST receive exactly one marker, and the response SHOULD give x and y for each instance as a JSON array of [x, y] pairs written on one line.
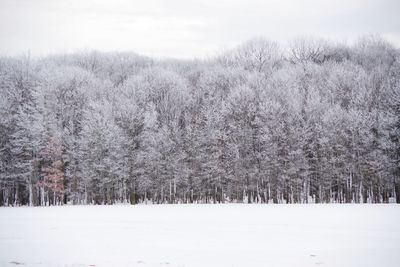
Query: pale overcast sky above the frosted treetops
[[184, 28]]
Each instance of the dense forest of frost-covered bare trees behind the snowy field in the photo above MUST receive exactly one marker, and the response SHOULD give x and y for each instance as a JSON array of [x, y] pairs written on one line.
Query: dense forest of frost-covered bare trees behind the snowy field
[[313, 121]]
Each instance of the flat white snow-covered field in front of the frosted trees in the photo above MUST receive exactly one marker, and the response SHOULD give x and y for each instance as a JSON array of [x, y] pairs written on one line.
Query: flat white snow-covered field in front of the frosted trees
[[201, 235]]
